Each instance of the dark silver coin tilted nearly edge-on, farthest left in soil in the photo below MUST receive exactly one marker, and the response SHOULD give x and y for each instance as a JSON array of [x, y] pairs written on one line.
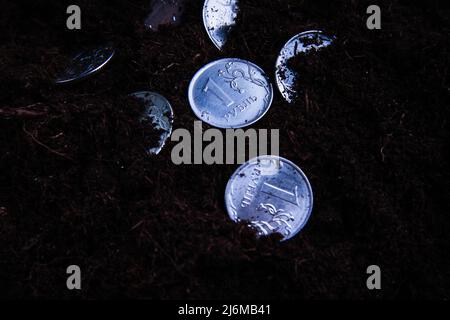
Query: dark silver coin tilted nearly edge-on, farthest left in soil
[[86, 63]]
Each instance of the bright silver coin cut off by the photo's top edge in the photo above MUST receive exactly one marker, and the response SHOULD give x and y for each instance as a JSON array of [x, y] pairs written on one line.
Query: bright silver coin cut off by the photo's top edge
[[219, 17]]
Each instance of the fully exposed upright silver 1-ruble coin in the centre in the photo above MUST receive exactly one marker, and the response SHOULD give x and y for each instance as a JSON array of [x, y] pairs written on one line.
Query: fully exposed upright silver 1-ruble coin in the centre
[[230, 93]]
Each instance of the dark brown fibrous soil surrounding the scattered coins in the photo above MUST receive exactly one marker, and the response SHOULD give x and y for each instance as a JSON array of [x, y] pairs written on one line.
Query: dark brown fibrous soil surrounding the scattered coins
[[370, 130]]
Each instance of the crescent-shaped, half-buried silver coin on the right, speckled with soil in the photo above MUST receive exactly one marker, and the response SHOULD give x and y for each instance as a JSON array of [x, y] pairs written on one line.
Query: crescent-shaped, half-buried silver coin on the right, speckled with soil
[[300, 44]]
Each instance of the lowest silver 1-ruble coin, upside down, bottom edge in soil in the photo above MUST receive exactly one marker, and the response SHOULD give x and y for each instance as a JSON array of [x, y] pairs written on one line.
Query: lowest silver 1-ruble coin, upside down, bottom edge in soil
[[272, 194]]
